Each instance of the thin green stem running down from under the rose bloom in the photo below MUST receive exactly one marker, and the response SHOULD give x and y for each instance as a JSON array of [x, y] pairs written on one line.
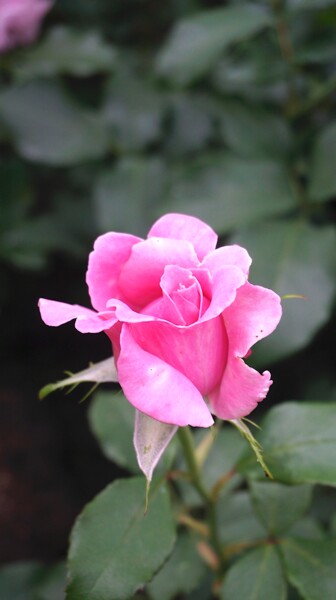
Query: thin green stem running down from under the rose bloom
[[187, 443]]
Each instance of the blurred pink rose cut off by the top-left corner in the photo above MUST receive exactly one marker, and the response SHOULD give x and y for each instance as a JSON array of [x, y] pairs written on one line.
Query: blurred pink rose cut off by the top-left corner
[[20, 21]]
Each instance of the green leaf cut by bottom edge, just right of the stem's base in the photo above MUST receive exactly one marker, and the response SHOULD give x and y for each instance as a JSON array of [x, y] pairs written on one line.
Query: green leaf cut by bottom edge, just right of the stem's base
[[256, 576]]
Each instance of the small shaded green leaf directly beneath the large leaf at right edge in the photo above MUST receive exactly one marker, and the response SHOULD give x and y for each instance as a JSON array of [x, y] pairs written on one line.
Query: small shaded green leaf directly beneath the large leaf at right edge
[[270, 498]]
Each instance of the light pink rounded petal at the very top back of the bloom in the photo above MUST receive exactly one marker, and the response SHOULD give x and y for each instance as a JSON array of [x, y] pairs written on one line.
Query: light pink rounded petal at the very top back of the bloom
[[183, 227]]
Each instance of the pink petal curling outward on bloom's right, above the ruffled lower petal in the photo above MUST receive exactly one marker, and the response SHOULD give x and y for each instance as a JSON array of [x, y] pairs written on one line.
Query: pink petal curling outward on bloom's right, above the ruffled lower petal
[[255, 314]]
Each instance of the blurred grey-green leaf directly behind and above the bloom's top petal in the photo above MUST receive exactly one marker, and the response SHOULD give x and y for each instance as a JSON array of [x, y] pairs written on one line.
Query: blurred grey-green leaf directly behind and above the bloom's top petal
[[228, 192]]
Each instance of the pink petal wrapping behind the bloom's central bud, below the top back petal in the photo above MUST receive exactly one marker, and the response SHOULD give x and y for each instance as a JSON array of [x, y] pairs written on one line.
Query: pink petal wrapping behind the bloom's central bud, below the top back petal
[[140, 277]]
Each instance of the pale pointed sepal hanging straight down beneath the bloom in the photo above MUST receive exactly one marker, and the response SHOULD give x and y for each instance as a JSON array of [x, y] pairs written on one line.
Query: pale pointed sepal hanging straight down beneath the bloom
[[151, 438]]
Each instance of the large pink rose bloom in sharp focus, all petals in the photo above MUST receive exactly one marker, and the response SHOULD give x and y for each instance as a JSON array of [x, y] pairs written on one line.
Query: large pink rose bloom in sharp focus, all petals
[[181, 316]]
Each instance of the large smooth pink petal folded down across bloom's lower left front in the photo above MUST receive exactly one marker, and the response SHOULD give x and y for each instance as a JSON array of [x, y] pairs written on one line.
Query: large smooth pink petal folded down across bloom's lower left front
[[157, 389]]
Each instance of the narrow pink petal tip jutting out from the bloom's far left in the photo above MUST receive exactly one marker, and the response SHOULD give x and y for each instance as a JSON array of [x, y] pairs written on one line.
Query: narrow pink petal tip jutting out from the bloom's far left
[[87, 321]]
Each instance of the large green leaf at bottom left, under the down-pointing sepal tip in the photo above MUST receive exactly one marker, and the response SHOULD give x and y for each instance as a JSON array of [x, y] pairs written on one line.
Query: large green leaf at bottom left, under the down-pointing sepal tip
[[115, 549]]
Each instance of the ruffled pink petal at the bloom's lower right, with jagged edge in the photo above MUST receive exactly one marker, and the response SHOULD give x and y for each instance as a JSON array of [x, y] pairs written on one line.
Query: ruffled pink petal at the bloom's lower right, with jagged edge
[[240, 390]]
